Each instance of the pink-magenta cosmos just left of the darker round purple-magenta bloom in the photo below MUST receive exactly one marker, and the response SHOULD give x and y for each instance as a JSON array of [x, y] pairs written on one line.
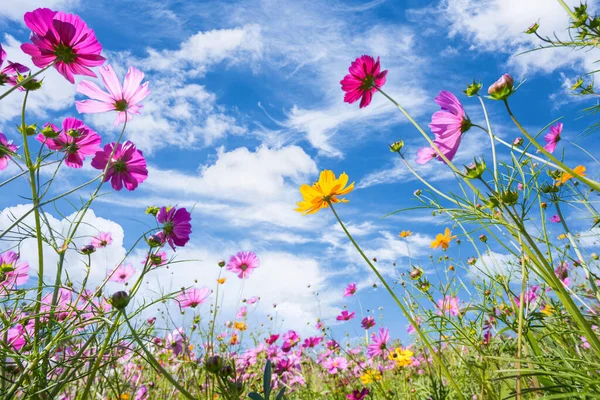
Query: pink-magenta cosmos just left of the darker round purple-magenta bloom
[[76, 139]]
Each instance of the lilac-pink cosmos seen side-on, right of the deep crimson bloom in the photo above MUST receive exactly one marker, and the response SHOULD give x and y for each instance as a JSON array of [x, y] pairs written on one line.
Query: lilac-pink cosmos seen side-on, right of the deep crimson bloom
[[447, 125]]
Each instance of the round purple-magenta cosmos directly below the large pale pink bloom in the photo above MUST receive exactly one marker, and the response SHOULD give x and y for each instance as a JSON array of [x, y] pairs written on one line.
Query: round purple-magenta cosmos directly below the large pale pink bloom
[[127, 167]]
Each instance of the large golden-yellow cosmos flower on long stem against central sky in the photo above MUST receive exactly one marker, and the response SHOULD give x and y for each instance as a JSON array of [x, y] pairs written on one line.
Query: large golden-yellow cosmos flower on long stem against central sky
[[326, 190]]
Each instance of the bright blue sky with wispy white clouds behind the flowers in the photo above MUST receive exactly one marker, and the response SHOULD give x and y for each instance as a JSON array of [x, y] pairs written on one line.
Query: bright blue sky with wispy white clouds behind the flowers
[[246, 105]]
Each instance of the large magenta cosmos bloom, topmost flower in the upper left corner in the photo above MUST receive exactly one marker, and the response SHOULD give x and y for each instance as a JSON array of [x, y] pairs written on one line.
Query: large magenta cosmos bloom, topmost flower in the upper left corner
[[63, 39]]
